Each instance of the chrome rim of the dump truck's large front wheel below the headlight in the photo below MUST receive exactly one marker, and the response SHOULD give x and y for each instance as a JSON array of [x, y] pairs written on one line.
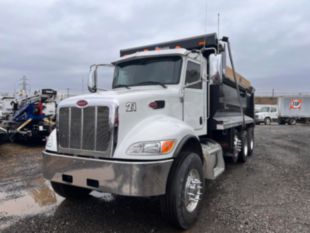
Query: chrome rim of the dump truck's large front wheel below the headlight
[[193, 190]]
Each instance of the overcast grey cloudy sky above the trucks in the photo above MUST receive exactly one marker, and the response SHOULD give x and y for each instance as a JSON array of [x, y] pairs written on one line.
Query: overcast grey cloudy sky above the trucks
[[53, 42]]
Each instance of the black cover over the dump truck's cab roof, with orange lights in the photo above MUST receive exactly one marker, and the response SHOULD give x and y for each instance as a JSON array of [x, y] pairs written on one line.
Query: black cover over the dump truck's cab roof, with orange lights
[[191, 43]]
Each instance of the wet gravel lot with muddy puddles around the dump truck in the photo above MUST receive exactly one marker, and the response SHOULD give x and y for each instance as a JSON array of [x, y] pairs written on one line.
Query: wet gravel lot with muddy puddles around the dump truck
[[270, 193]]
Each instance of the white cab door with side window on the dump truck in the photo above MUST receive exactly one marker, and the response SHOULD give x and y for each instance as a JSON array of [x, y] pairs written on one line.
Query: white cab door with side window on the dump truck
[[194, 96]]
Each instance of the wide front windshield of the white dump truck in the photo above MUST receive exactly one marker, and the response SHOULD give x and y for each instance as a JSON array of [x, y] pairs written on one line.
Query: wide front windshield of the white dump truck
[[147, 71]]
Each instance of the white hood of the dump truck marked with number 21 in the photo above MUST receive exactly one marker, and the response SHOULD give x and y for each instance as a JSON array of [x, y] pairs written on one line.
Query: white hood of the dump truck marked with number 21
[[133, 104]]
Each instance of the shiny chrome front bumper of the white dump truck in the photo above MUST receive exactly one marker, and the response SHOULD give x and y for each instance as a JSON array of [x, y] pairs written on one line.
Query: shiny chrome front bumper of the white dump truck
[[117, 177]]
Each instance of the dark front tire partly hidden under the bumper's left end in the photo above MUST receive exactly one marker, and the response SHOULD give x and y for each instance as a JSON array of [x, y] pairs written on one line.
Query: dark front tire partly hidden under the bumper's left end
[[70, 192]]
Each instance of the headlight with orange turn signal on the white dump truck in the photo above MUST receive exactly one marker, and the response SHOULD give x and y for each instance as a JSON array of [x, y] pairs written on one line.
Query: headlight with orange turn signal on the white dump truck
[[152, 148]]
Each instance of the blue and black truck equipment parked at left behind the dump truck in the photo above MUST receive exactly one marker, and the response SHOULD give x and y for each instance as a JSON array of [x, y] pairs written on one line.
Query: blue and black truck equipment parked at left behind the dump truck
[[33, 117]]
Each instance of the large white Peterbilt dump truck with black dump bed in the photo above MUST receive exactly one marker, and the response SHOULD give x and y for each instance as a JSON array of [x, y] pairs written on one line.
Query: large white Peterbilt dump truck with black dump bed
[[174, 111]]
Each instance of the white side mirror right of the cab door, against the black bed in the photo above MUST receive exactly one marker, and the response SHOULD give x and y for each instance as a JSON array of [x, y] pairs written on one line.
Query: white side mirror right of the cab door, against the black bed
[[216, 69]]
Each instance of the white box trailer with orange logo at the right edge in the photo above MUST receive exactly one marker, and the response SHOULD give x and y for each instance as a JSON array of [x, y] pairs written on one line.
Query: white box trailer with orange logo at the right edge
[[293, 109]]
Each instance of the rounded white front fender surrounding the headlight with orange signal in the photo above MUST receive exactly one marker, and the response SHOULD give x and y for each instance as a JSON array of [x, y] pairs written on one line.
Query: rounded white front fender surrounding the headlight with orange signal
[[154, 128]]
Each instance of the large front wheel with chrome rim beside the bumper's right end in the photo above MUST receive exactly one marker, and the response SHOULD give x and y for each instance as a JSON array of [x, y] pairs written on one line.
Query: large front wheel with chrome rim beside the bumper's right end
[[182, 202]]
